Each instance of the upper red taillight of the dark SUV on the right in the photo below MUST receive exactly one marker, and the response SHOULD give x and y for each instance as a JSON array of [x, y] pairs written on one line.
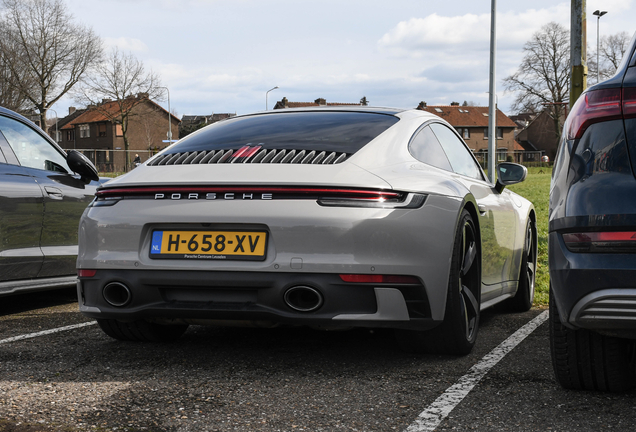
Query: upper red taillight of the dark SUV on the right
[[594, 107]]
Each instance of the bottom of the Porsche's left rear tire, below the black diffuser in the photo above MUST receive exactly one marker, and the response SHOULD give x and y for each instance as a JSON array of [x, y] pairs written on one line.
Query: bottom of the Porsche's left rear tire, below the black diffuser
[[141, 331]]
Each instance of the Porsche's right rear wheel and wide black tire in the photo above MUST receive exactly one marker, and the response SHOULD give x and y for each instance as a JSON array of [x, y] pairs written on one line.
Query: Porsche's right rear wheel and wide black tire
[[458, 333]]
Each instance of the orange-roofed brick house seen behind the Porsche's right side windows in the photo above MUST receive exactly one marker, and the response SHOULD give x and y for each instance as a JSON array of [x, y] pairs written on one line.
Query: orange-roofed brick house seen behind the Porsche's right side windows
[[472, 124]]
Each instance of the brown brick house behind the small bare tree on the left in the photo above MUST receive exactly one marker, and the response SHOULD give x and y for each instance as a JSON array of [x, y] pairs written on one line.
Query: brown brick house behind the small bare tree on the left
[[101, 139]]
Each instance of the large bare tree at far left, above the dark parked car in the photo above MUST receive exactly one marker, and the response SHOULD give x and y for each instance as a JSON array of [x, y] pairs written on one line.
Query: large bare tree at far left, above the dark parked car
[[48, 53]]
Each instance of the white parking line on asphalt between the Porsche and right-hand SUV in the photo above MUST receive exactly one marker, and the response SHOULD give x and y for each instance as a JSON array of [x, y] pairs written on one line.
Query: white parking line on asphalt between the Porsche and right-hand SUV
[[432, 416]]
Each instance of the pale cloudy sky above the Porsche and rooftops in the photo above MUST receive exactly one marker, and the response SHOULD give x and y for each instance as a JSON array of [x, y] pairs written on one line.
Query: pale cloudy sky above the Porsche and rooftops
[[221, 56]]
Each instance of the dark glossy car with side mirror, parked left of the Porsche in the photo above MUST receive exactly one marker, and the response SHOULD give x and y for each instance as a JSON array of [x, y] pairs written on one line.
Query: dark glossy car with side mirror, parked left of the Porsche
[[41, 201]]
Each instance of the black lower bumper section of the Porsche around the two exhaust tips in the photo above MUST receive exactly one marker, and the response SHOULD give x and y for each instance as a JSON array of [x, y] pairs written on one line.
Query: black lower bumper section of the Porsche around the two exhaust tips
[[202, 297]]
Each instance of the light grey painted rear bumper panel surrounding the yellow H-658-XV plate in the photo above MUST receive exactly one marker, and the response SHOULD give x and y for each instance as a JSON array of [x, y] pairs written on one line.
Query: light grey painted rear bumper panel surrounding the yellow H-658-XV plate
[[304, 239]]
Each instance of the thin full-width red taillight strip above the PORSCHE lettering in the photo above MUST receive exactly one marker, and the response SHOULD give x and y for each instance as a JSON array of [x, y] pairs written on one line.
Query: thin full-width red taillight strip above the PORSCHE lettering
[[358, 193]]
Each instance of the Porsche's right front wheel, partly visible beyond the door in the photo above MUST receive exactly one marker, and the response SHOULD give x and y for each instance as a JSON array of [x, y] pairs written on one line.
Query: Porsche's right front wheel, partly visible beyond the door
[[523, 299]]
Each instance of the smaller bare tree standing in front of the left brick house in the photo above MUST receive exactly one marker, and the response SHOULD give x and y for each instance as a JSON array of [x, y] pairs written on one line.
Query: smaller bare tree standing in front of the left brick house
[[122, 79]]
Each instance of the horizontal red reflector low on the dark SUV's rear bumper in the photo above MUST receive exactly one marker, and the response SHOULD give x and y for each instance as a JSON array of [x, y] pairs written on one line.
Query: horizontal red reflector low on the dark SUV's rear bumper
[[601, 242]]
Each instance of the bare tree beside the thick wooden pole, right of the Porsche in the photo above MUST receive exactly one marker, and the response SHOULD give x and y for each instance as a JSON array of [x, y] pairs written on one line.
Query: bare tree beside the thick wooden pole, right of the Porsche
[[543, 77]]
